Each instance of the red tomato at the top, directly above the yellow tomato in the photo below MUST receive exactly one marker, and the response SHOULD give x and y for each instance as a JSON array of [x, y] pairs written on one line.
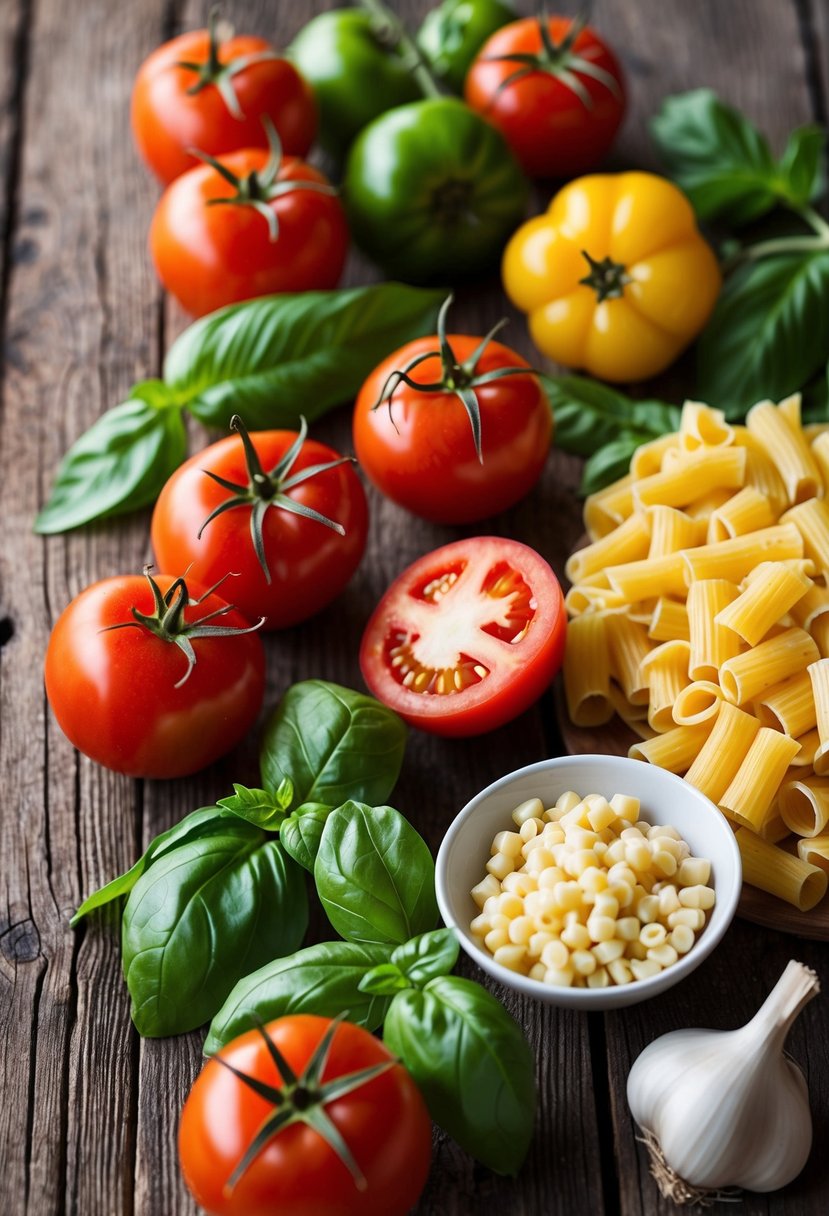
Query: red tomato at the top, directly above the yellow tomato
[[561, 109]]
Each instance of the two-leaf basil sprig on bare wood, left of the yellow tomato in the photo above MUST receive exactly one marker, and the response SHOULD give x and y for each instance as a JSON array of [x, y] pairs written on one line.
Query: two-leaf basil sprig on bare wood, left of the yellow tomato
[[270, 359]]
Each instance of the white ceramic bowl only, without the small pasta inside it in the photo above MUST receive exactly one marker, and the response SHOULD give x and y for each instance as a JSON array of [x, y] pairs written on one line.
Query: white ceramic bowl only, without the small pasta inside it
[[666, 800]]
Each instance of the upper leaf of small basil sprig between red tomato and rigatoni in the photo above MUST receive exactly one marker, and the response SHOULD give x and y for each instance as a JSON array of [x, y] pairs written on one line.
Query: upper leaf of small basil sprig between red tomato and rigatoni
[[590, 415]]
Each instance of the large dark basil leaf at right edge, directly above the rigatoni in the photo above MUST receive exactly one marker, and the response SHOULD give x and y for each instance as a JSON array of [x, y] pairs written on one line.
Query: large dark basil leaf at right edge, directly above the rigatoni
[[769, 333]]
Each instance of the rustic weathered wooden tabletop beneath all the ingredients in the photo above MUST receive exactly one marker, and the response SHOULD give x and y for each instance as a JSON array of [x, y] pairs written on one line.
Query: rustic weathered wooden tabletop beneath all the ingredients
[[89, 1112]]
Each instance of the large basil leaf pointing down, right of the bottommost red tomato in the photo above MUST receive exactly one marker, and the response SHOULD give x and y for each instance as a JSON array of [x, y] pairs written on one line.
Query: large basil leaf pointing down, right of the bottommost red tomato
[[473, 1066]]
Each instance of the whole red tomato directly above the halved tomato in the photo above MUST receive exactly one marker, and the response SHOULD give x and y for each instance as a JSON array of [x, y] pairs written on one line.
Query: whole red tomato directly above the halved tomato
[[416, 442]]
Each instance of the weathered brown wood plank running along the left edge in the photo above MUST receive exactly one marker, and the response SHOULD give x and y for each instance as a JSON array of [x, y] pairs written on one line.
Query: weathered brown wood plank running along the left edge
[[81, 326]]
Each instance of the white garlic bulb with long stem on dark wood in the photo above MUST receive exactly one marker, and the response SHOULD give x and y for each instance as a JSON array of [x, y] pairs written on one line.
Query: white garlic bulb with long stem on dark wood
[[728, 1108]]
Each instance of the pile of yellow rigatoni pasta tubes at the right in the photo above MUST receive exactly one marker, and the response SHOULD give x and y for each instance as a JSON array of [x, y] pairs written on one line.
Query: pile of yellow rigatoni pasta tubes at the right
[[701, 616]]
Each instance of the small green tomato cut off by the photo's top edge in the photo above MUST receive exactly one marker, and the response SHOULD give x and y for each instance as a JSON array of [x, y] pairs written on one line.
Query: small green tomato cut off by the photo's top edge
[[454, 33]]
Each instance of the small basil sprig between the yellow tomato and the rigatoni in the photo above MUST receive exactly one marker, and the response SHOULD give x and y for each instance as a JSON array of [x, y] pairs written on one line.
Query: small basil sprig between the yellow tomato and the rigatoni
[[604, 425]]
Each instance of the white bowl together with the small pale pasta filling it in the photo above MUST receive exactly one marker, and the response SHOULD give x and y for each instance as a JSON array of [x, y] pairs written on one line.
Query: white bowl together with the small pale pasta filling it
[[591, 882]]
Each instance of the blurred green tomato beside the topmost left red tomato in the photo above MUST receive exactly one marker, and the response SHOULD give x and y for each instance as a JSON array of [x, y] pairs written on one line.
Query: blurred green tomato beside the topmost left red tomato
[[351, 60]]
